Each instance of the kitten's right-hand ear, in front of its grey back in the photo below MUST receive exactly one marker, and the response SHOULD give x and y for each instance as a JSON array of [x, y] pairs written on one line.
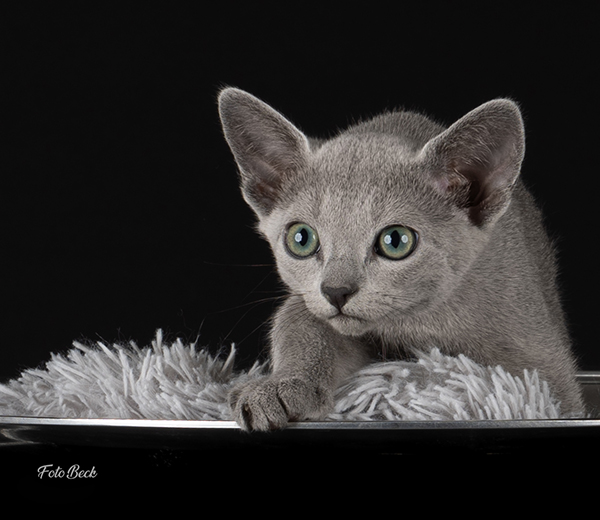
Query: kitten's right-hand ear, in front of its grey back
[[478, 159]]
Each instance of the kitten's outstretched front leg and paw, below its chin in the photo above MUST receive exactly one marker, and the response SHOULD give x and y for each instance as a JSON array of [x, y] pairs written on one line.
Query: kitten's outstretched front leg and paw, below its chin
[[309, 359]]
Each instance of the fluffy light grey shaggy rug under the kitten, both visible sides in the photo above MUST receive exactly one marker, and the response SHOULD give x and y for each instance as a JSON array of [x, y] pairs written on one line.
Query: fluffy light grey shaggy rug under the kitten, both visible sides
[[177, 381]]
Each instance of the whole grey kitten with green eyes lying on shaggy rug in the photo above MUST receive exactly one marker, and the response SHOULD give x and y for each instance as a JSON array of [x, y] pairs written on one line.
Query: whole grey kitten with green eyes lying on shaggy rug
[[395, 234]]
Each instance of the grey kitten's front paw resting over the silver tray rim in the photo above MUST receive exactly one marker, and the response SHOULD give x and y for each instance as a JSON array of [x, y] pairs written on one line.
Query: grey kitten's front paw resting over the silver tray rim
[[269, 404]]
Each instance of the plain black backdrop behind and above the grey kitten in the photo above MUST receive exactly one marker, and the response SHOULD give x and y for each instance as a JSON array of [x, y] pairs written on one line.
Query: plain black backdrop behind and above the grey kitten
[[120, 211]]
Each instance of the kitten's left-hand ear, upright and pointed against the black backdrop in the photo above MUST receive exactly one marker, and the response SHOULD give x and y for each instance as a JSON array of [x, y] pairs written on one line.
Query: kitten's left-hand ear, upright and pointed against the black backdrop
[[266, 146]]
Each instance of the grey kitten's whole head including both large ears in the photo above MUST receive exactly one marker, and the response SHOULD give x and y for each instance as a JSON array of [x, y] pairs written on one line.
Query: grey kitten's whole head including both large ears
[[383, 219]]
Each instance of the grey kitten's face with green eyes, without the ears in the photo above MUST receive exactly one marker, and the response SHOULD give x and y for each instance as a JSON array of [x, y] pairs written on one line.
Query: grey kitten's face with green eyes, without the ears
[[363, 240]]
